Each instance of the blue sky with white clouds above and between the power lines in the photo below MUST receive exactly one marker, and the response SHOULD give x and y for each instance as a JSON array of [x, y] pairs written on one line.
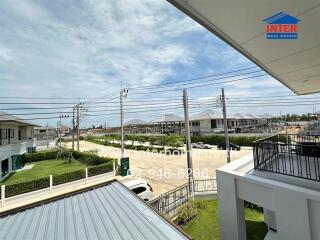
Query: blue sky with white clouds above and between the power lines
[[85, 48]]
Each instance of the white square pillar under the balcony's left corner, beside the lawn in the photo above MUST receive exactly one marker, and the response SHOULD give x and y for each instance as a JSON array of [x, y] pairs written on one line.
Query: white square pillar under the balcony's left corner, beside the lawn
[[231, 209]]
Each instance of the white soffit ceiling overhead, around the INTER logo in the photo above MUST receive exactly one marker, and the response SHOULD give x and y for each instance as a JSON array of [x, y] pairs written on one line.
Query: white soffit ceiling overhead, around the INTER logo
[[296, 63]]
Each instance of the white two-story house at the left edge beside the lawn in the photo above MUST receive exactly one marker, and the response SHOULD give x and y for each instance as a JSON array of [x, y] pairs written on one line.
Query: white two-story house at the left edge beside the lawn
[[16, 138]]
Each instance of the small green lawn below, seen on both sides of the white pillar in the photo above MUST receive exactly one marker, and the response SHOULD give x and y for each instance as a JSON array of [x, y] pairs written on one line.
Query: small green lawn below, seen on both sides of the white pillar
[[206, 226]]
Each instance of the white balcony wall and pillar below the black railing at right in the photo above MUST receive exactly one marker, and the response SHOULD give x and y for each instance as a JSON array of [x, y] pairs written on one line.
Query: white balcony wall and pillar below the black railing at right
[[294, 211]]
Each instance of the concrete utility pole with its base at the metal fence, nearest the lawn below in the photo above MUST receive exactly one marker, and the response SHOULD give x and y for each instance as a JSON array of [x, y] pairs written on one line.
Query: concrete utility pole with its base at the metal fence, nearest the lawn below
[[188, 145]]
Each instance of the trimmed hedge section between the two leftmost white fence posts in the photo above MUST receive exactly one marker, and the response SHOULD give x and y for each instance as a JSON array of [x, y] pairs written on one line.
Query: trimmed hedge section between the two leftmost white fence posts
[[25, 187]]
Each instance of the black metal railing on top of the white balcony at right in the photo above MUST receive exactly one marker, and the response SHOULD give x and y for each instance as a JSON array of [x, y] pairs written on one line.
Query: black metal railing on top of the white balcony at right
[[293, 155]]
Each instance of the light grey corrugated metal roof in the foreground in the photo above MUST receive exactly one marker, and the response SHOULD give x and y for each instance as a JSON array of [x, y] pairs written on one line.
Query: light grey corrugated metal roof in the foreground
[[108, 212]]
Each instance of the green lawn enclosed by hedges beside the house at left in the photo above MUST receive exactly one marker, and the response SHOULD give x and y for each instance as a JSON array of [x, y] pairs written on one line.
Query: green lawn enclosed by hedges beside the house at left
[[43, 169]]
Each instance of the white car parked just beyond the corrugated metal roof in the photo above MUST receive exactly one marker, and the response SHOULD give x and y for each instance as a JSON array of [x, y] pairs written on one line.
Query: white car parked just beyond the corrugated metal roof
[[140, 187]]
